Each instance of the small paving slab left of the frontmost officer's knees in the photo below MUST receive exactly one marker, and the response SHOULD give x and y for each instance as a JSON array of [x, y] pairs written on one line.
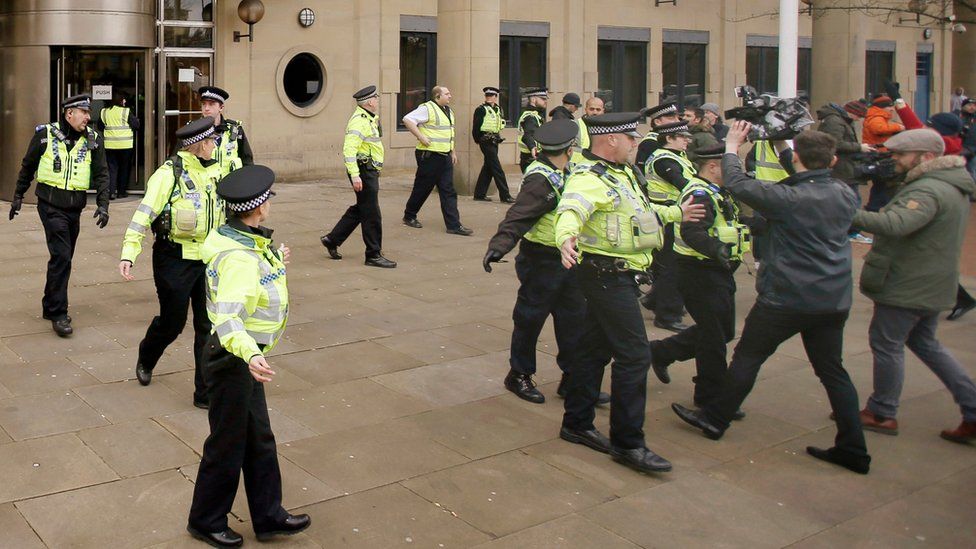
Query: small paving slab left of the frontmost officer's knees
[[137, 448]]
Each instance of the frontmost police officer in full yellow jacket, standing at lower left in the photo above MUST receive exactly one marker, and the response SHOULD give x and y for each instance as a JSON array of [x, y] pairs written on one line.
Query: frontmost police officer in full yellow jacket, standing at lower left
[[247, 298]]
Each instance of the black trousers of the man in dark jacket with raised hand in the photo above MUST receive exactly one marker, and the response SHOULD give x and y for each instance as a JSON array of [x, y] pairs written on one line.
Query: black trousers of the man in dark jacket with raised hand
[[823, 337]]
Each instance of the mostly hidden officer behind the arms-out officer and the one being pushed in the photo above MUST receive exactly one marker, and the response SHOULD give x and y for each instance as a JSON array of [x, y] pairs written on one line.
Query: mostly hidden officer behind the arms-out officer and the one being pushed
[[668, 171]]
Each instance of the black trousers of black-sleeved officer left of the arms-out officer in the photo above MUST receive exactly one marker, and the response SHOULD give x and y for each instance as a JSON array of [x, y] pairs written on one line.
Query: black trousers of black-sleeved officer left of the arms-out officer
[[547, 288]]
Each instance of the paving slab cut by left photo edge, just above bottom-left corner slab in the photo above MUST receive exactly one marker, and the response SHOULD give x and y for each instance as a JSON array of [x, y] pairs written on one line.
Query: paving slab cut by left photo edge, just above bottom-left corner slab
[[46, 465]]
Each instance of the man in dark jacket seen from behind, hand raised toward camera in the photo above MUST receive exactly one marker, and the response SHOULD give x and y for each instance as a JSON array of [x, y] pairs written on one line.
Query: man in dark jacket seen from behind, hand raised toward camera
[[804, 288]]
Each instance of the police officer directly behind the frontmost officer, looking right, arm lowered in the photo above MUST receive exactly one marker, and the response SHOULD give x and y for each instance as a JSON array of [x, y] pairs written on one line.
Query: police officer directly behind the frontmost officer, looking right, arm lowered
[[181, 207]]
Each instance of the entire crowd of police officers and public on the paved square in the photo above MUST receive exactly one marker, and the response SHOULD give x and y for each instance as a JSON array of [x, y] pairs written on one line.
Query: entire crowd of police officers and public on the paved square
[[602, 211]]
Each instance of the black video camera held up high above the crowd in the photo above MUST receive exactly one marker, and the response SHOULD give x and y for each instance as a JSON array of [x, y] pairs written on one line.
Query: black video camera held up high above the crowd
[[772, 118]]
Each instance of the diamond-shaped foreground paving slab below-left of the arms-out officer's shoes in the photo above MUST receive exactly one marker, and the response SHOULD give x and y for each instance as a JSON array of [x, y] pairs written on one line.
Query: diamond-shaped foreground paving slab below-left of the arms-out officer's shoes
[[508, 492]]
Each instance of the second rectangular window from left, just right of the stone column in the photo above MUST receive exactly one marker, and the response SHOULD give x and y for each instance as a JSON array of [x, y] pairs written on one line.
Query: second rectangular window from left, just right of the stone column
[[521, 65]]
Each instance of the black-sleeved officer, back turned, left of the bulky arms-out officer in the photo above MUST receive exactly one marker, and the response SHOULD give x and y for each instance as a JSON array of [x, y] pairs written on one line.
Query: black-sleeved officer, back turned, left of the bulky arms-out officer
[[546, 287]]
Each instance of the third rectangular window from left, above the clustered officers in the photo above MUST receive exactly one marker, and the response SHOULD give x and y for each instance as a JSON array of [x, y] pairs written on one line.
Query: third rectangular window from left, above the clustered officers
[[622, 75]]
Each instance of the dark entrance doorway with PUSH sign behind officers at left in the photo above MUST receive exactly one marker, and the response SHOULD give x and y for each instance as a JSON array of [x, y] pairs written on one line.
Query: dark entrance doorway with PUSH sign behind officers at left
[[102, 73]]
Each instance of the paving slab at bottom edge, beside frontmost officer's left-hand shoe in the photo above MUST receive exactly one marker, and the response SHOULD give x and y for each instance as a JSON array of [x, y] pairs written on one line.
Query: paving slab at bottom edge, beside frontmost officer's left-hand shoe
[[128, 513]]
